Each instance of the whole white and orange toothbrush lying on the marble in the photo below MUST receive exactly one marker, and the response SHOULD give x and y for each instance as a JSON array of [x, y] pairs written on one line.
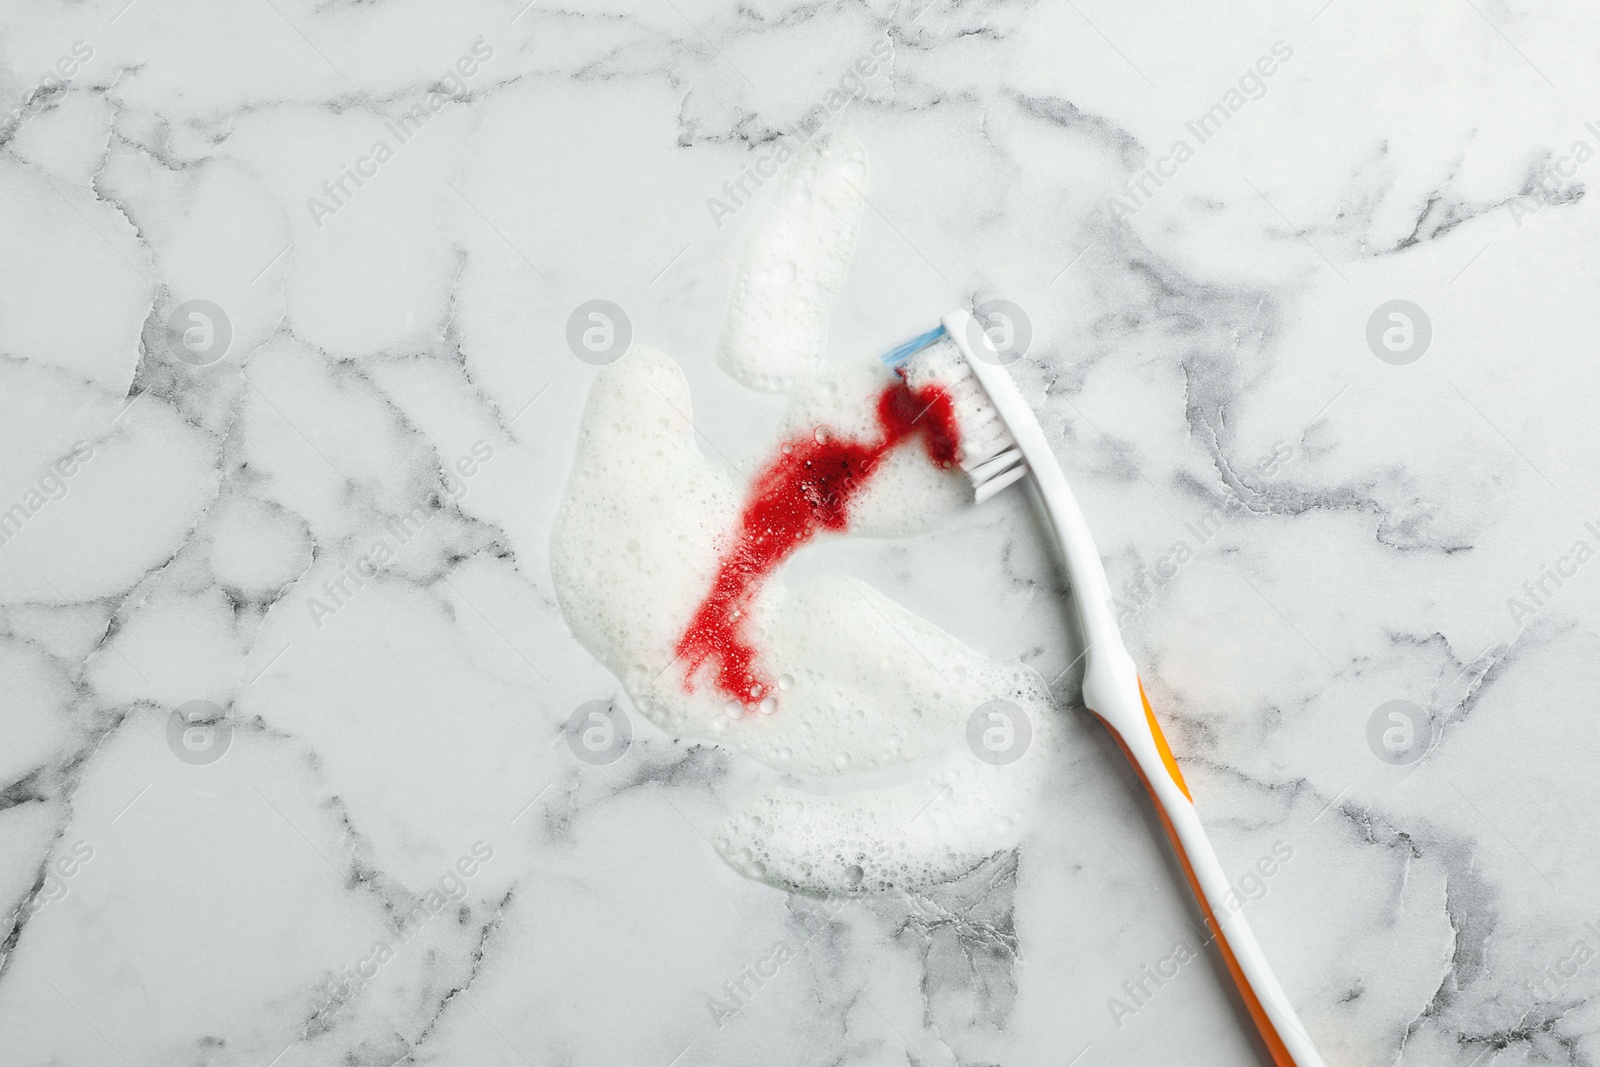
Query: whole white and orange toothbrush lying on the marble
[[1001, 444]]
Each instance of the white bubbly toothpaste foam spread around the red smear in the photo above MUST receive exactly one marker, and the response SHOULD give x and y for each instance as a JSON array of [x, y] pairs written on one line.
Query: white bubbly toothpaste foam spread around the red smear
[[863, 684]]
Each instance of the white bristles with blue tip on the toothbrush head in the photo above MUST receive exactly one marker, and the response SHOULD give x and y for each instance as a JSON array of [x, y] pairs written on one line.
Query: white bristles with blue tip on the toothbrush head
[[945, 361]]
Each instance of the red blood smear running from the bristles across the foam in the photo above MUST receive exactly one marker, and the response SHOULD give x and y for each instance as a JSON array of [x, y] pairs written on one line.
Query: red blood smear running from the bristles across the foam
[[804, 490]]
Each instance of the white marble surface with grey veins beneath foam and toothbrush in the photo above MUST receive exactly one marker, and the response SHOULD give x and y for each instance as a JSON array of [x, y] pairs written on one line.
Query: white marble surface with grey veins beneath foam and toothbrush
[[166, 911]]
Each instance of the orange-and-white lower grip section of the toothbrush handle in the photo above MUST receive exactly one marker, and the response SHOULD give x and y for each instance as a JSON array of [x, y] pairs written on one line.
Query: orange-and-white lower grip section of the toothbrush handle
[[1270, 1009]]
